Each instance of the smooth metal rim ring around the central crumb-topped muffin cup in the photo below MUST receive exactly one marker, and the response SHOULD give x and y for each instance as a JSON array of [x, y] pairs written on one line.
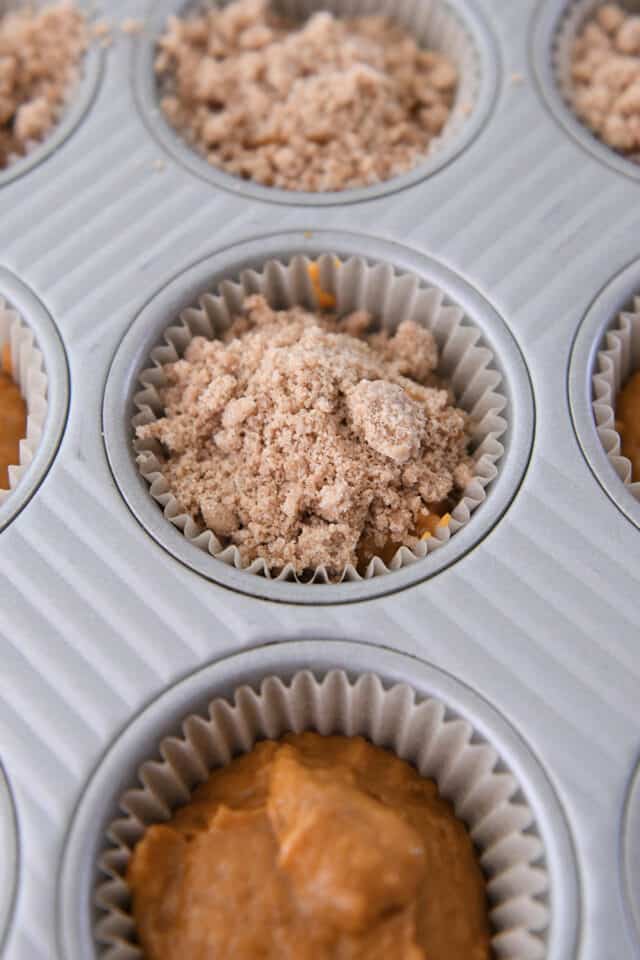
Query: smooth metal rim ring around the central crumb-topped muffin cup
[[183, 291]]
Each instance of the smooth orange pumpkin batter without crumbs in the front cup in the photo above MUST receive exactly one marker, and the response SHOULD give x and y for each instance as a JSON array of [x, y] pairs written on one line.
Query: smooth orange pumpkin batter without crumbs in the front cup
[[311, 848]]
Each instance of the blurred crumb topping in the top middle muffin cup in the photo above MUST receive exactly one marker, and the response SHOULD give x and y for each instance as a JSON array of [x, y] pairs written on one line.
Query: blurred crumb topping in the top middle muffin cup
[[323, 105]]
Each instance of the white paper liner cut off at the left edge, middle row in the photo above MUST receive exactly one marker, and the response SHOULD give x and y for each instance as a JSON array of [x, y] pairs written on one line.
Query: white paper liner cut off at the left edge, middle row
[[27, 369]]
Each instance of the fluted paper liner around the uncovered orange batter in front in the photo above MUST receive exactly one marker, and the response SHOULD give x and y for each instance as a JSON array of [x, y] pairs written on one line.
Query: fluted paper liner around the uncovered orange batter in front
[[443, 747]]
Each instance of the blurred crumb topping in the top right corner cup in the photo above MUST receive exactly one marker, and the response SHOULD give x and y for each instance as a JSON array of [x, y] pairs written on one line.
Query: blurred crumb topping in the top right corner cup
[[605, 71]]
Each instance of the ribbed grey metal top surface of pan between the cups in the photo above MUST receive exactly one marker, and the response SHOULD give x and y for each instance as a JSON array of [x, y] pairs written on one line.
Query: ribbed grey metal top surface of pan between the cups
[[542, 618]]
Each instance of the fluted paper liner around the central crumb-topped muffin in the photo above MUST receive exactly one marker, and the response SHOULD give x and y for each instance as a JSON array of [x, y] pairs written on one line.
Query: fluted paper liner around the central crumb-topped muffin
[[465, 363]]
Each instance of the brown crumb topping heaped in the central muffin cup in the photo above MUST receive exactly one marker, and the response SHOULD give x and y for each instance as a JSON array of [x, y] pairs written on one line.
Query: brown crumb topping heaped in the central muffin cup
[[305, 445]]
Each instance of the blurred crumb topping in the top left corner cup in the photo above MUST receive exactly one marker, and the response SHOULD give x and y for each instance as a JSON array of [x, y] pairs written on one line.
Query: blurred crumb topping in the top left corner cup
[[39, 58]]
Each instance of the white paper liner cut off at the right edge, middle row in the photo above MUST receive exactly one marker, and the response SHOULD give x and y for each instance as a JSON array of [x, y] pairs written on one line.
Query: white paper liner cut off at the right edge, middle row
[[618, 358]]
